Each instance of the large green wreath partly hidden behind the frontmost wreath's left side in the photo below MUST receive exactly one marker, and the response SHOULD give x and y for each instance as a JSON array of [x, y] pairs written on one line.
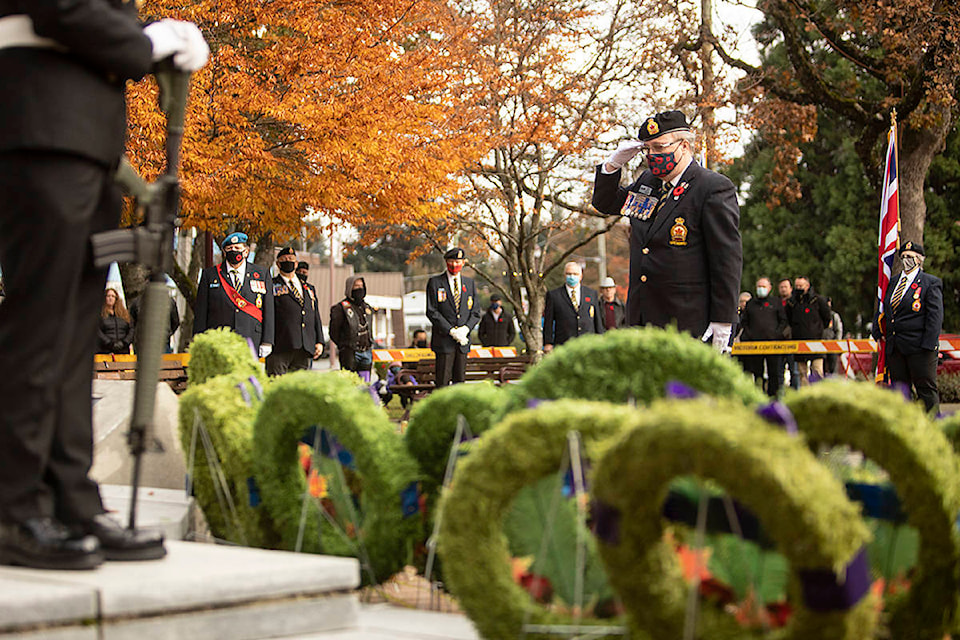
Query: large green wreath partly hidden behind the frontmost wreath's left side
[[526, 447]]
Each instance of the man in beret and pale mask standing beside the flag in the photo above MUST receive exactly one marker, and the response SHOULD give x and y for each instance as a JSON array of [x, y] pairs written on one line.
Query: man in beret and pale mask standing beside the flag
[[911, 322]]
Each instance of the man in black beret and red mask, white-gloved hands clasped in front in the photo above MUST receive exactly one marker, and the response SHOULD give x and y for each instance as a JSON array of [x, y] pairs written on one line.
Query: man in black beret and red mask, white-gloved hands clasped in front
[[453, 312]]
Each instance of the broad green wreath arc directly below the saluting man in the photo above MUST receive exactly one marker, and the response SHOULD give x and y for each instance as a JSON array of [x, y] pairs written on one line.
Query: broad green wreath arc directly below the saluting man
[[636, 364]]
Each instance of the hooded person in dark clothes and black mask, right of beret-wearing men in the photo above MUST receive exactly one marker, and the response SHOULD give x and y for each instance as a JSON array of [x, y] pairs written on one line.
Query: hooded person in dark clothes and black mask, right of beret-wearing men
[[351, 328]]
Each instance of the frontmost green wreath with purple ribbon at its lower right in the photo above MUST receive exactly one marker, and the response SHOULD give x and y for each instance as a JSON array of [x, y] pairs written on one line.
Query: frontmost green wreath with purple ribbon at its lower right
[[802, 506]]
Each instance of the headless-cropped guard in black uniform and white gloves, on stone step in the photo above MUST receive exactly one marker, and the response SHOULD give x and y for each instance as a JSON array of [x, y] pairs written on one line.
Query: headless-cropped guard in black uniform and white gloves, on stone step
[[63, 66]]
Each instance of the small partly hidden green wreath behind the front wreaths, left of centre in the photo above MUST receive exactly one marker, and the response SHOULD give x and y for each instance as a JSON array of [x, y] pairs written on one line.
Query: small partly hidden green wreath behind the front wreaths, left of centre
[[433, 423]]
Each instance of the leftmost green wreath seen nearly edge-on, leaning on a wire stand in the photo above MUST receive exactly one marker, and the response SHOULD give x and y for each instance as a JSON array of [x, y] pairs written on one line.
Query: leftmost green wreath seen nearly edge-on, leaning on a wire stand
[[222, 410]]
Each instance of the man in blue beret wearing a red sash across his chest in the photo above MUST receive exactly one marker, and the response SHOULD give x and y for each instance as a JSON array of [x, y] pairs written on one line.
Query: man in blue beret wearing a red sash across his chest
[[237, 294]]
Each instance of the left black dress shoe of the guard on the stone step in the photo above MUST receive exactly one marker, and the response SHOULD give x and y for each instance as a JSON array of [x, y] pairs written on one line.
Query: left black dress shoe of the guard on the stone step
[[44, 543]]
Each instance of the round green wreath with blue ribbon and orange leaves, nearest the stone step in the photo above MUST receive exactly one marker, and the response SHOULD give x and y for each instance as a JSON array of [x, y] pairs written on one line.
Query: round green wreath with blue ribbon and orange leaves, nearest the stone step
[[334, 401]]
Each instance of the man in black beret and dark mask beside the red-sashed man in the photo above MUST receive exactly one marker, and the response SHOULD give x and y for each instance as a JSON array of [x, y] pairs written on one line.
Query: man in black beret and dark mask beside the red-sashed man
[[298, 332]]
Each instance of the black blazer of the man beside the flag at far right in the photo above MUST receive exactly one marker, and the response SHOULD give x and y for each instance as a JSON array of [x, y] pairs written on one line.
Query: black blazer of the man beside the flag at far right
[[915, 324]]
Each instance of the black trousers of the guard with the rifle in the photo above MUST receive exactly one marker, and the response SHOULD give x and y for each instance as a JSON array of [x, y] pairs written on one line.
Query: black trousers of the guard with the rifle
[[48, 327]]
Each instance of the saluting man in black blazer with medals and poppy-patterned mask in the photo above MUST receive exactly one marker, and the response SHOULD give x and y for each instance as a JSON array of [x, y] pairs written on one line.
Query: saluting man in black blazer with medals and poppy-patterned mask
[[685, 250]]
